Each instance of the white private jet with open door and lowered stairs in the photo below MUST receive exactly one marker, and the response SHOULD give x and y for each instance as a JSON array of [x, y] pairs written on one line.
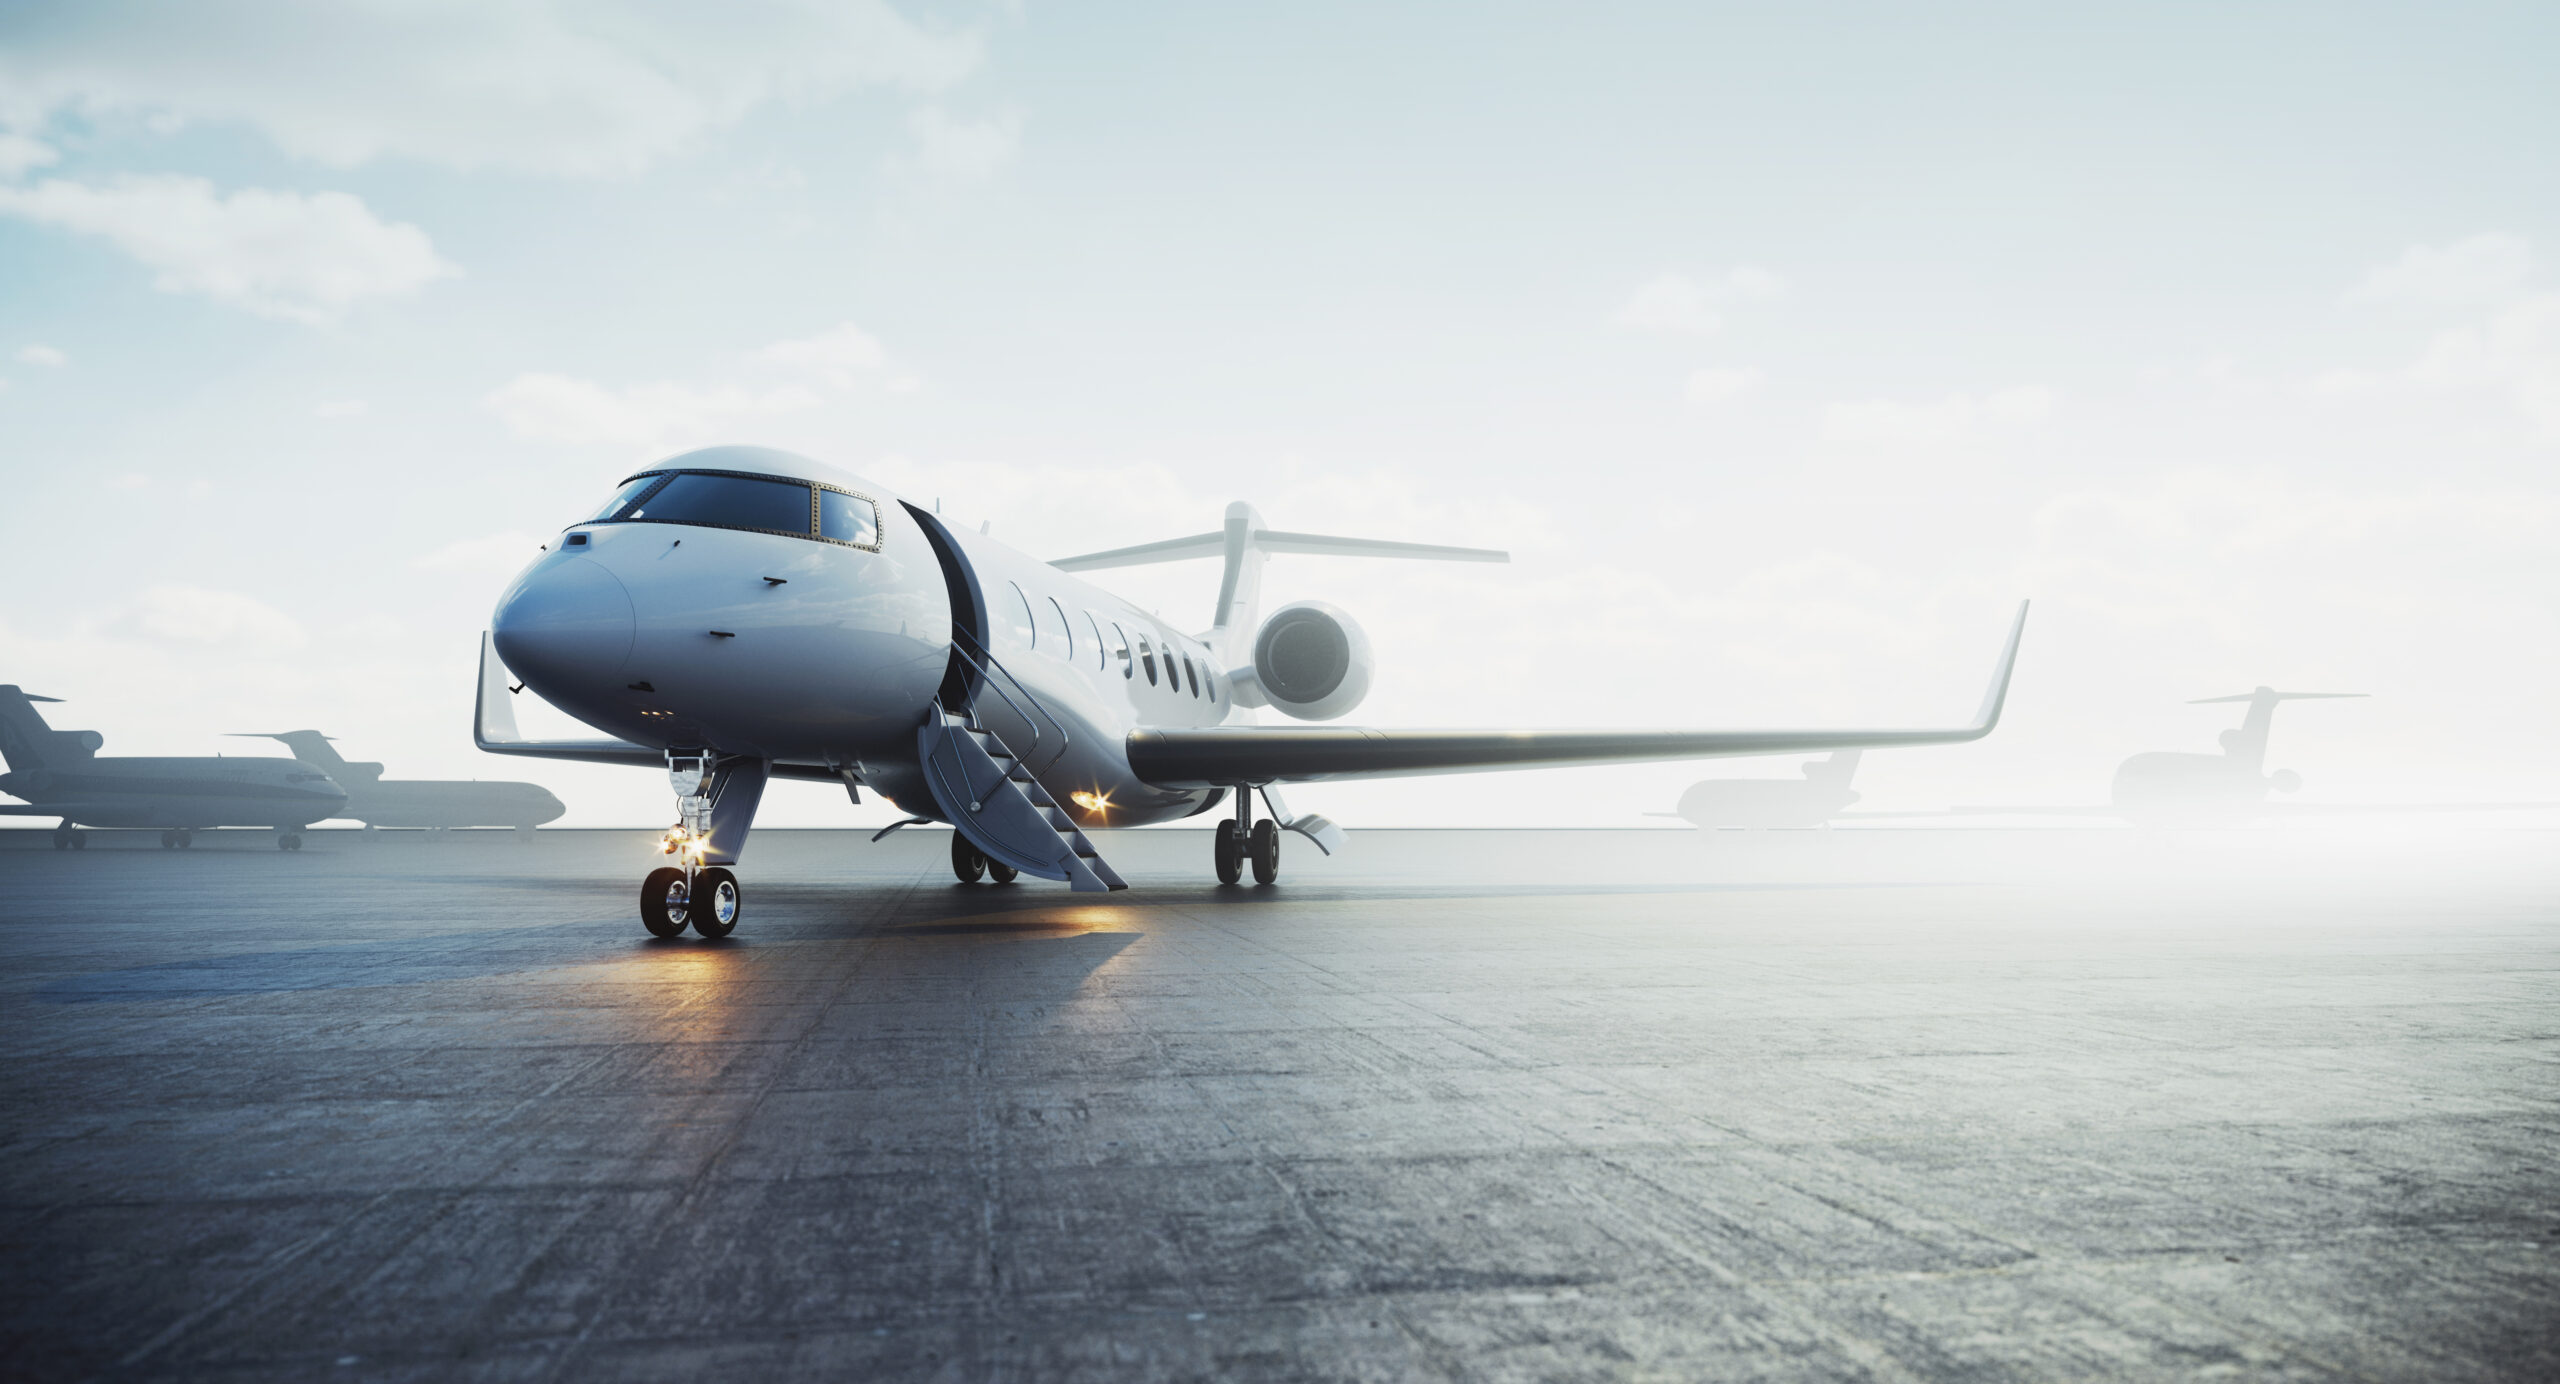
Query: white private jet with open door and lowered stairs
[[739, 615]]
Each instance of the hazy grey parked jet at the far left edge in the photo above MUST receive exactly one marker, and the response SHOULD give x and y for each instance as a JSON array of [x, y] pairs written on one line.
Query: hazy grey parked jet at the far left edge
[[63, 776]]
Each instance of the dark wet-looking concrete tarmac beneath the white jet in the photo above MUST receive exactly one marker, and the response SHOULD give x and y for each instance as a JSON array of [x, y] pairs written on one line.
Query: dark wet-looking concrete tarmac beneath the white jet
[[1450, 1106]]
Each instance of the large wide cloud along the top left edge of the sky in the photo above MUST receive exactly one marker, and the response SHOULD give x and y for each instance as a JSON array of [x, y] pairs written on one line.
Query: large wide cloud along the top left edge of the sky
[[529, 86]]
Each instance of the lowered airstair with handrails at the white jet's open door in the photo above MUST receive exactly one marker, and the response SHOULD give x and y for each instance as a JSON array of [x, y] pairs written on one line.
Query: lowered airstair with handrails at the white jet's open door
[[989, 794]]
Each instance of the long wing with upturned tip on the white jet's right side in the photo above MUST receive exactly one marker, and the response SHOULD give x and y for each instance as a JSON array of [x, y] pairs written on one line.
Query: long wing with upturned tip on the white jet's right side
[[1212, 756]]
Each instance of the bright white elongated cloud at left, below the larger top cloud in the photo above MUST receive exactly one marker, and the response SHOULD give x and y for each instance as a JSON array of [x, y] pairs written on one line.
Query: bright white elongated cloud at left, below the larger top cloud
[[280, 255]]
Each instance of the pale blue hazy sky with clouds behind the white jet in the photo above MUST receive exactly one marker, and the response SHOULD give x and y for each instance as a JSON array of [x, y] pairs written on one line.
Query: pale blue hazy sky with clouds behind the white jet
[[1783, 349]]
